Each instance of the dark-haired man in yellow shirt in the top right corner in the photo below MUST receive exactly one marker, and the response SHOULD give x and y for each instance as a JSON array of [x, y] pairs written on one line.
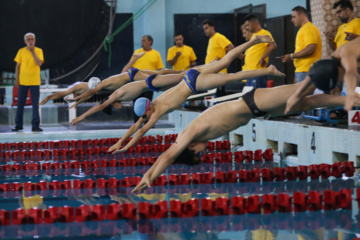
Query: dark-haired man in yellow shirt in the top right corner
[[349, 30]]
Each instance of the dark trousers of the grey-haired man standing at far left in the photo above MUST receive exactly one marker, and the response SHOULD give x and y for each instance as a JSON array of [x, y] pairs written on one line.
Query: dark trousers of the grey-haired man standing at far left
[[35, 93]]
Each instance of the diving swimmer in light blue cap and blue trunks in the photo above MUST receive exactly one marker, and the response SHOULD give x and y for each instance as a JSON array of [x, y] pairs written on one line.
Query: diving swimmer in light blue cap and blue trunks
[[198, 79]]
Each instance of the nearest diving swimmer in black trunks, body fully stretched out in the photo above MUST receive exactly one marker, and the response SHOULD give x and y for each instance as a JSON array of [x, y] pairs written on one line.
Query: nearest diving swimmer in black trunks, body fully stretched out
[[225, 117]]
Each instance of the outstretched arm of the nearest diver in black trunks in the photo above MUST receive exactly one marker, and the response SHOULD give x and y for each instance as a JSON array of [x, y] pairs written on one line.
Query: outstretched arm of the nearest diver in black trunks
[[168, 157]]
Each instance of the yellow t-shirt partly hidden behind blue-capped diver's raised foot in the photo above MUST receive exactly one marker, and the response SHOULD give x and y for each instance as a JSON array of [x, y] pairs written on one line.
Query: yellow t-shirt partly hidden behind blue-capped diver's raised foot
[[254, 53]]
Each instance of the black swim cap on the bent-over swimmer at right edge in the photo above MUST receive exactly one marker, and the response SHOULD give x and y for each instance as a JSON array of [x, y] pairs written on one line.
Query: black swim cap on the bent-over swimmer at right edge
[[324, 74]]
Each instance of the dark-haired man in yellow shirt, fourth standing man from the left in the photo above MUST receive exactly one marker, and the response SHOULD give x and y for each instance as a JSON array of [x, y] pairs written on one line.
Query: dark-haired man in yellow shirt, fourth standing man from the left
[[218, 44]]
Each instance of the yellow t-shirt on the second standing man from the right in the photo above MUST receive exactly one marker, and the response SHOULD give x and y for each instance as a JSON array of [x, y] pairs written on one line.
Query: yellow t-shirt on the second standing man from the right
[[307, 34]]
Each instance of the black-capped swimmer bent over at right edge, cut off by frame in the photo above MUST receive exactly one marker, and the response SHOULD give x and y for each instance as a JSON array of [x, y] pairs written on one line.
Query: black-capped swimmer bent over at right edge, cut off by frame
[[325, 74]]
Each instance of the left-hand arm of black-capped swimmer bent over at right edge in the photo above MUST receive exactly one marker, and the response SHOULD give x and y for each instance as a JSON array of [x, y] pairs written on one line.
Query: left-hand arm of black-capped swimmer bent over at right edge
[[305, 88]]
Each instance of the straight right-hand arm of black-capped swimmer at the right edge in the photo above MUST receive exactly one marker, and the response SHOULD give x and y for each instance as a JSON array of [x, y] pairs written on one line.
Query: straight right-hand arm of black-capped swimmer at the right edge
[[349, 62]]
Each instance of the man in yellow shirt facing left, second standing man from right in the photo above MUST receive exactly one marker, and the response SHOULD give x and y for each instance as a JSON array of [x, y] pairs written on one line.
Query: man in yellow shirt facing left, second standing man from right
[[308, 44]]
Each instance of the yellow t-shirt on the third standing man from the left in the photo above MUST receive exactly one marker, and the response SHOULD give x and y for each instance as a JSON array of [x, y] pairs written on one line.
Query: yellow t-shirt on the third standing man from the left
[[183, 62]]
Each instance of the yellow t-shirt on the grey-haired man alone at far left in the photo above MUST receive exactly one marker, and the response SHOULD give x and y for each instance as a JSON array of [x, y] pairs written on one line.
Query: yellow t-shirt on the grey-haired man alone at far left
[[29, 71]]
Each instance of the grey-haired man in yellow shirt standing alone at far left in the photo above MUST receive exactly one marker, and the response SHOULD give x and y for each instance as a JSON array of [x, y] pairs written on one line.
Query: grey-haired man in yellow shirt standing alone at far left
[[27, 71]]
